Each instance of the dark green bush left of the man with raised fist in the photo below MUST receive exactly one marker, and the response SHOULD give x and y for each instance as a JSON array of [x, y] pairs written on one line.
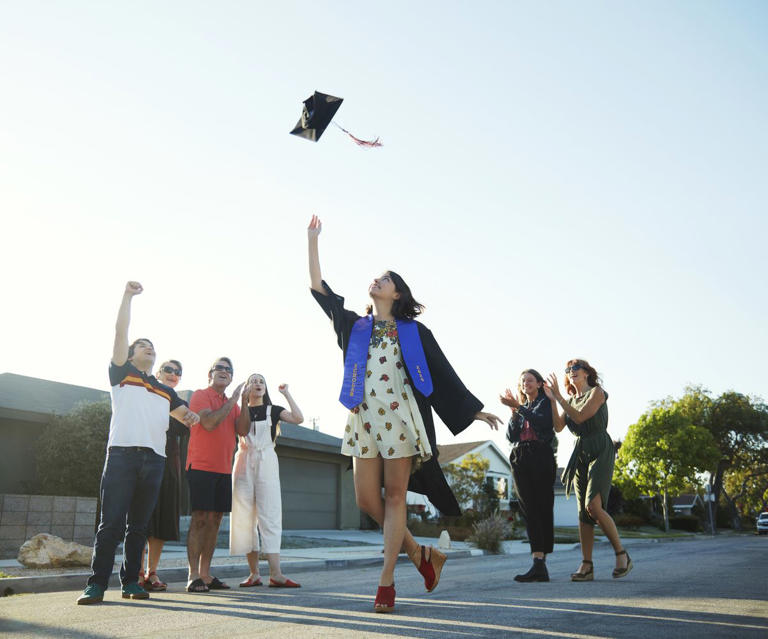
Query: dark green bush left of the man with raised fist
[[71, 451]]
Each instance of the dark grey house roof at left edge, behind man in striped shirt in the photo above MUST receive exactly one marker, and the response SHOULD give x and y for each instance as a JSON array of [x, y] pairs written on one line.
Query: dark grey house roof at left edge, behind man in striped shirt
[[43, 396]]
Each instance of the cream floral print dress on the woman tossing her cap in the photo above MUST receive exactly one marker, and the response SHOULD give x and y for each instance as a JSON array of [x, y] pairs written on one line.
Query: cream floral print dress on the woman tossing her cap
[[387, 423]]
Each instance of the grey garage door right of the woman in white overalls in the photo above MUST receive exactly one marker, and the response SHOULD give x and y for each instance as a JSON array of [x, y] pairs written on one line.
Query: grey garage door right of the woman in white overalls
[[310, 494]]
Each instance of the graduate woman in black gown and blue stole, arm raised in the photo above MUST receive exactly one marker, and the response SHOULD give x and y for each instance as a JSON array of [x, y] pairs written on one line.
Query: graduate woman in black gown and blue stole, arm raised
[[394, 374]]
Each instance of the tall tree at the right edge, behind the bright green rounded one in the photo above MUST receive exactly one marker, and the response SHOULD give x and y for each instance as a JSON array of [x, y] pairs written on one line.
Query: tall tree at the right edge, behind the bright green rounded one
[[739, 425]]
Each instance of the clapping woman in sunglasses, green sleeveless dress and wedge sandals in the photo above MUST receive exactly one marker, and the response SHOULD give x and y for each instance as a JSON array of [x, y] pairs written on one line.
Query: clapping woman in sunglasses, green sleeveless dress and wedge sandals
[[590, 468]]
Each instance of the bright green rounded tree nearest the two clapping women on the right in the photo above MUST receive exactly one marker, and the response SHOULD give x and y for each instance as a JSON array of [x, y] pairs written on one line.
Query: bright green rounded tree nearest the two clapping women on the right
[[663, 452]]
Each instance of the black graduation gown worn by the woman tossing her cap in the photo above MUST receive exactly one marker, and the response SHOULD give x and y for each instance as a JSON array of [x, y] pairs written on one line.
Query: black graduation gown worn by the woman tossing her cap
[[454, 404]]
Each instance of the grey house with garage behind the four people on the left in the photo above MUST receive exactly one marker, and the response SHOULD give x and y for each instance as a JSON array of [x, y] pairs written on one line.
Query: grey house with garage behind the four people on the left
[[317, 486]]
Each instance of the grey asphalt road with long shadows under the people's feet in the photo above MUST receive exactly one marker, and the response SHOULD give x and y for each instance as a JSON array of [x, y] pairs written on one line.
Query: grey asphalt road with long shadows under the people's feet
[[699, 588]]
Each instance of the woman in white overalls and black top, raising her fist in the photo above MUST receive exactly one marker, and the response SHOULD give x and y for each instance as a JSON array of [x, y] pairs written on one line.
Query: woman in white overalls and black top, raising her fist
[[256, 499]]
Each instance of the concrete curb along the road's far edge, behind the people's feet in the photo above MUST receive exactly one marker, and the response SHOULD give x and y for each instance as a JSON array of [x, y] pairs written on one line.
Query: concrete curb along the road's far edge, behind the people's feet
[[77, 581]]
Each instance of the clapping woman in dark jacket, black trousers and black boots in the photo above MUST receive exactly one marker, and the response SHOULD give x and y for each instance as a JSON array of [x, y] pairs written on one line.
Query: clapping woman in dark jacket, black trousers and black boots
[[531, 431]]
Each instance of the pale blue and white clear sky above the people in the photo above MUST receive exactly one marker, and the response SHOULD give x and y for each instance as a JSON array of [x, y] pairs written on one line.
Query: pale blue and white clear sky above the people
[[557, 180]]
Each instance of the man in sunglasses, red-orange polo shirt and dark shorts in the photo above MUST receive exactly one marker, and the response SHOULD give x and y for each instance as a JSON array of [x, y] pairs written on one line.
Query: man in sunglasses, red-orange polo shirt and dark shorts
[[209, 471]]
